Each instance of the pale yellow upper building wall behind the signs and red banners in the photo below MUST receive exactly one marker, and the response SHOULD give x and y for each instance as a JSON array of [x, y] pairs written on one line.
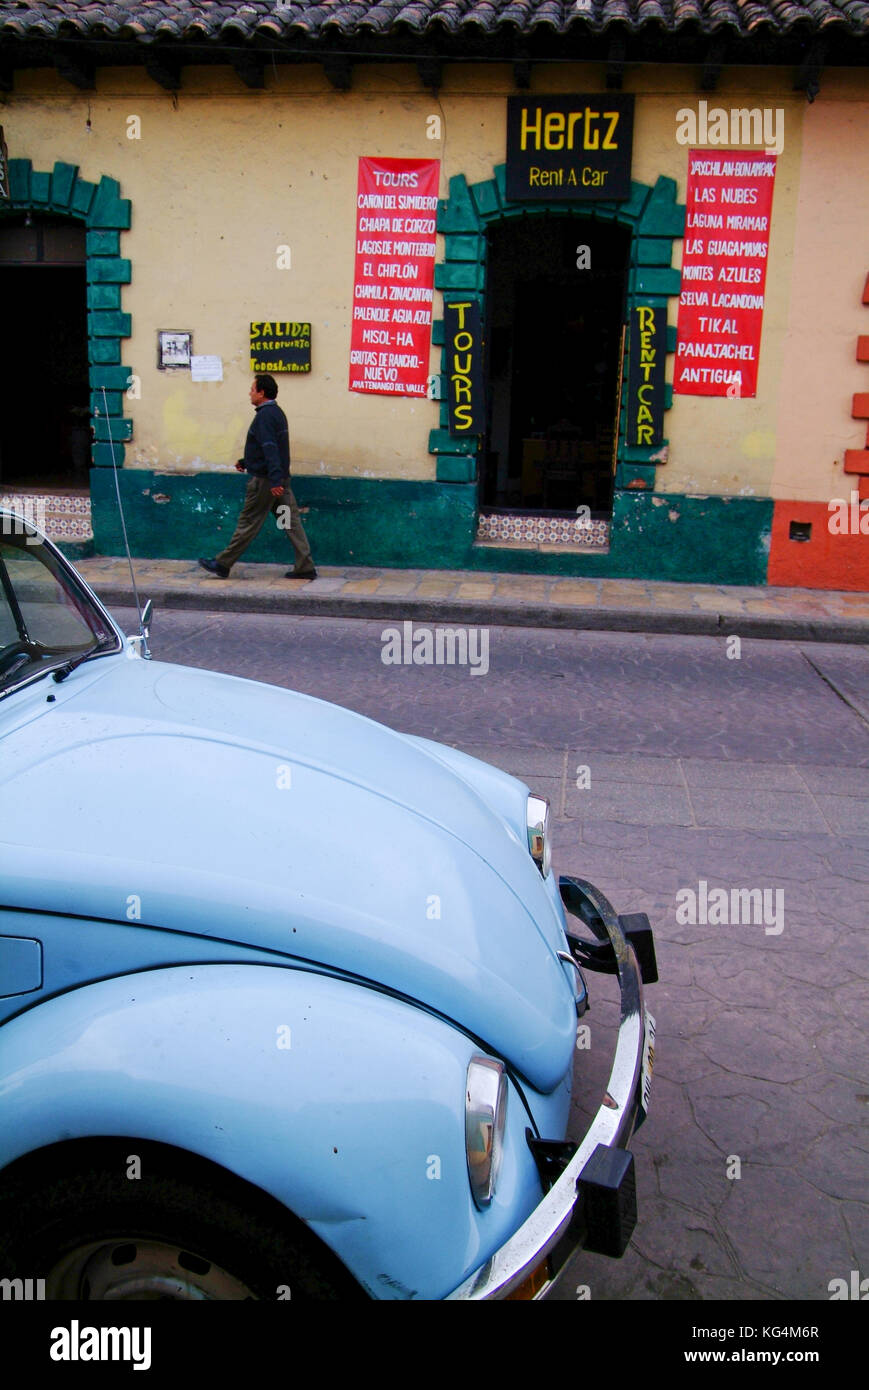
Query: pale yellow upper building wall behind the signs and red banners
[[222, 179]]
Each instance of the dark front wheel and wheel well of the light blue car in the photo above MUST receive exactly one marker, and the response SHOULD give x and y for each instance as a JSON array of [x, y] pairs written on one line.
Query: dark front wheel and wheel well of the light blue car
[[97, 1235]]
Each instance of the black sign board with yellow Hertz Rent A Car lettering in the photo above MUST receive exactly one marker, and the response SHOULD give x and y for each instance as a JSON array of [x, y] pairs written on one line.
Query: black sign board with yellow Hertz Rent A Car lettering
[[564, 148]]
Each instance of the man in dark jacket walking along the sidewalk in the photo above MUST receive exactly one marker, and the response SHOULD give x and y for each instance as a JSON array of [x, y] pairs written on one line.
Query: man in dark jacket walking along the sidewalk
[[268, 462]]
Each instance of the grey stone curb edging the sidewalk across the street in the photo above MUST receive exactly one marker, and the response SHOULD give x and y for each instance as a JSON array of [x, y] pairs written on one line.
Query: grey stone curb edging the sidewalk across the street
[[490, 612]]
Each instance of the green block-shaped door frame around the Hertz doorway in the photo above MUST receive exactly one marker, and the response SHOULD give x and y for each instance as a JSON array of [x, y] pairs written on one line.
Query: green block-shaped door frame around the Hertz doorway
[[656, 220]]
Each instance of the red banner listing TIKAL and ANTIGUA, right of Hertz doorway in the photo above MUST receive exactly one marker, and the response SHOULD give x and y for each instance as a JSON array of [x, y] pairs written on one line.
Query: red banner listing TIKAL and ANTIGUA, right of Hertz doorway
[[724, 273]]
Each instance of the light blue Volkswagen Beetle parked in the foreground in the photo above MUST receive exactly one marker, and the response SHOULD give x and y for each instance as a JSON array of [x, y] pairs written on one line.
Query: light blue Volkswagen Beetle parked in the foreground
[[289, 1003]]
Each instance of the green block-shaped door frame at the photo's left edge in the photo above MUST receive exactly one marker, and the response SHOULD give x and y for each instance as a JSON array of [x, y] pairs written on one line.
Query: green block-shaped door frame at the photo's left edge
[[105, 215]]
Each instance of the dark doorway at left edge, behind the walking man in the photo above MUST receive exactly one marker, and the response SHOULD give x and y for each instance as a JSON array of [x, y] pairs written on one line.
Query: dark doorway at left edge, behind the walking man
[[45, 411]]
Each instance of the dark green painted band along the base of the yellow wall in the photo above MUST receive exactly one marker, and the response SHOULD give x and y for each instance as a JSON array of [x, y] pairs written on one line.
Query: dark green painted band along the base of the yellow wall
[[429, 526]]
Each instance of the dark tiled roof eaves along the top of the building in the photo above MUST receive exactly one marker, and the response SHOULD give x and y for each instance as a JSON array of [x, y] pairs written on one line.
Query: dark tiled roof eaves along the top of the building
[[193, 33]]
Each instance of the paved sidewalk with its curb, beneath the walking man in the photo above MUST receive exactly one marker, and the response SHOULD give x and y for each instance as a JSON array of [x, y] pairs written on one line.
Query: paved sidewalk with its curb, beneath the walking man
[[501, 600]]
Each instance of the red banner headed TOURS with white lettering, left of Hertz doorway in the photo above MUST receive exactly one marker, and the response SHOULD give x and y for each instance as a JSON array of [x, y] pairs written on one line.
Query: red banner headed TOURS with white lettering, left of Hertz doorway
[[397, 209]]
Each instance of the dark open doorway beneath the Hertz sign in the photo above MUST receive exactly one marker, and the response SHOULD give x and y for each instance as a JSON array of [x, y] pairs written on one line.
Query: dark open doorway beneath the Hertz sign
[[557, 294]]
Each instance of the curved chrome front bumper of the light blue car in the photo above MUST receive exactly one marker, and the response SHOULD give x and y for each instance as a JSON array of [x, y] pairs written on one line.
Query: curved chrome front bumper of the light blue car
[[558, 1225]]
